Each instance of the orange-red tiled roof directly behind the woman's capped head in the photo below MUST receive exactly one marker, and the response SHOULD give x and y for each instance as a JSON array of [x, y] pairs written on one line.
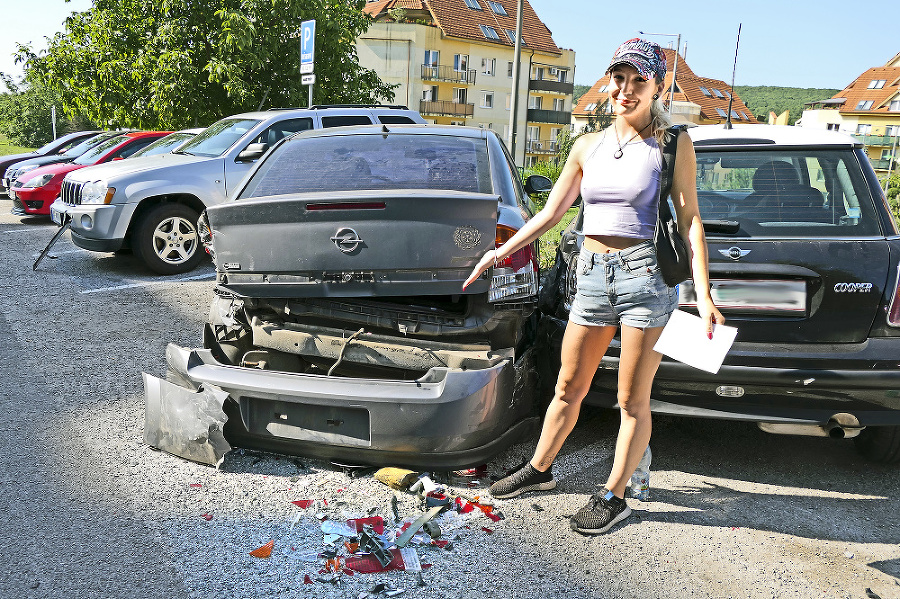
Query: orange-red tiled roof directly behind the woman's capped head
[[689, 85]]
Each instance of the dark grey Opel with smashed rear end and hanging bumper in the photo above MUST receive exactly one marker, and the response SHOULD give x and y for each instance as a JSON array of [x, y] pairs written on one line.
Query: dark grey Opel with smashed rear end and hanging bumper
[[340, 328]]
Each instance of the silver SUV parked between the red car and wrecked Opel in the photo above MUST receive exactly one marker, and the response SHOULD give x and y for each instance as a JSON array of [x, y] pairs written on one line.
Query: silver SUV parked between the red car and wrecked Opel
[[157, 199]]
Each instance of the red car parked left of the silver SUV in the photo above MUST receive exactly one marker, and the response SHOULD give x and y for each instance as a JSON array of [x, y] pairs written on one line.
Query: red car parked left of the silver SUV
[[41, 186]]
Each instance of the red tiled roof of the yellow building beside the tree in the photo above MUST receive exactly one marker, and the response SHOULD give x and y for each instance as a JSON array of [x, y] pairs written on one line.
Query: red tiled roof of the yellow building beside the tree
[[458, 20]]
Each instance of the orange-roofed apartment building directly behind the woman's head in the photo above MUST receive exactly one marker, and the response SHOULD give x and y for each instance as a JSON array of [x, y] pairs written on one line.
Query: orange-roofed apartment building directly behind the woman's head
[[697, 100]]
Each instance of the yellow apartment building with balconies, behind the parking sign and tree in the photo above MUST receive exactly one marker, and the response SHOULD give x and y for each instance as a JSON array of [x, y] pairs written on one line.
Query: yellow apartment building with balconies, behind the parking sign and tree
[[452, 60]]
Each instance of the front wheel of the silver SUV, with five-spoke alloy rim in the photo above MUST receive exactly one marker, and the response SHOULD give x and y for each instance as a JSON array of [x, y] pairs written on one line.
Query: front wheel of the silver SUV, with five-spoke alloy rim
[[166, 239]]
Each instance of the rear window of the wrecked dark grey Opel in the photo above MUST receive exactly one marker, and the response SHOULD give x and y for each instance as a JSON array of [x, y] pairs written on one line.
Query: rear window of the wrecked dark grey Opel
[[364, 162]]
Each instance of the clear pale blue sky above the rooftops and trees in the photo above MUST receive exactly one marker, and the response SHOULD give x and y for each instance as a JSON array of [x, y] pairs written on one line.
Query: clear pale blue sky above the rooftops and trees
[[794, 43]]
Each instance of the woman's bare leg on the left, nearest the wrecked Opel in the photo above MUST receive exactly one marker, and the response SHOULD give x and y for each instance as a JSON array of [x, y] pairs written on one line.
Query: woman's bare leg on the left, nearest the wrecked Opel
[[582, 349]]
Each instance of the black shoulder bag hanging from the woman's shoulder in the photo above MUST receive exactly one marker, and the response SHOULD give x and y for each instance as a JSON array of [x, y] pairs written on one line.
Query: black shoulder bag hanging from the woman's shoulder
[[671, 251]]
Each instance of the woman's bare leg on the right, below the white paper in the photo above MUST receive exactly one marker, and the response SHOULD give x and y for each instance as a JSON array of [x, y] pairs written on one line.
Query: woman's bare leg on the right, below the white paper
[[637, 367]]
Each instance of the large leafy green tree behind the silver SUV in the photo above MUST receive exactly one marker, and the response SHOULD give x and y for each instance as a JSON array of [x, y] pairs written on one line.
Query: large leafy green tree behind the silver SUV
[[178, 63]]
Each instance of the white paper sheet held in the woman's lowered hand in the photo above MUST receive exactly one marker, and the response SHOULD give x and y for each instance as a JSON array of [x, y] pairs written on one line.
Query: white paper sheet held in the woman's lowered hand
[[685, 339]]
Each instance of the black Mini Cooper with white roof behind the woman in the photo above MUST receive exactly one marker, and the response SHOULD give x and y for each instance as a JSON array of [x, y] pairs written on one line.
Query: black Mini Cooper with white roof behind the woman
[[803, 260]]
